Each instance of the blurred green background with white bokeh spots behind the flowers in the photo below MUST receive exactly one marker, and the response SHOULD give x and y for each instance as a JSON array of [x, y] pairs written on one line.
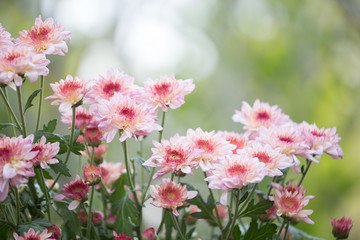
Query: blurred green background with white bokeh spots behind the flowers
[[303, 56]]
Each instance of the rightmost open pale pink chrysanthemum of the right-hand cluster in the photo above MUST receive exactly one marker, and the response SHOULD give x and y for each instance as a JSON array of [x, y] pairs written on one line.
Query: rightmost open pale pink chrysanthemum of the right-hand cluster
[[320, 141]]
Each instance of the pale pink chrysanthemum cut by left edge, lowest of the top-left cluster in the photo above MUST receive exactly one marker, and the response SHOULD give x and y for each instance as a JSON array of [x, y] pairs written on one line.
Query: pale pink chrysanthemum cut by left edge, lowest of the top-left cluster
[[17, 61]]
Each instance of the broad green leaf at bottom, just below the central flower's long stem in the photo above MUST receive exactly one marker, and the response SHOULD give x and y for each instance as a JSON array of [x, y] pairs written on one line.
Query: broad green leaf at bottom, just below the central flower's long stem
[[126, 213]]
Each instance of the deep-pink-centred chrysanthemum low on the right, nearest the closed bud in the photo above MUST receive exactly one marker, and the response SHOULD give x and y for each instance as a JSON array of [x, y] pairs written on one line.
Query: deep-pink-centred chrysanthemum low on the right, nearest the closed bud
[[290, 201]]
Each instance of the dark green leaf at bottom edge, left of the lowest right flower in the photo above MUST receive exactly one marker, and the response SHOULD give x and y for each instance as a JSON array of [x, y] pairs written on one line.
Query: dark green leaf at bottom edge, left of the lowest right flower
[[265, 232]]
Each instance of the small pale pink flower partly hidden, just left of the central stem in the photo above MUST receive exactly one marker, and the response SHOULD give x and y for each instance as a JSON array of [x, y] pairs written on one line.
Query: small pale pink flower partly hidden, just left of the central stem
[[111, 172]]
